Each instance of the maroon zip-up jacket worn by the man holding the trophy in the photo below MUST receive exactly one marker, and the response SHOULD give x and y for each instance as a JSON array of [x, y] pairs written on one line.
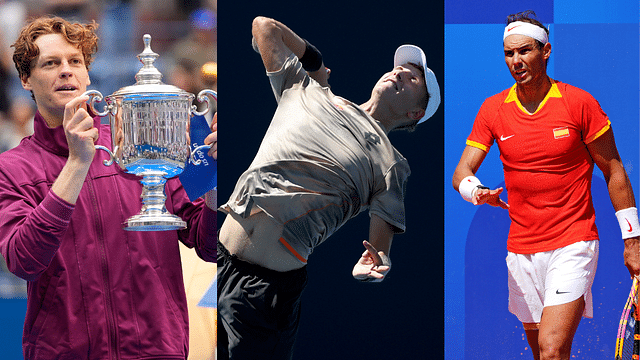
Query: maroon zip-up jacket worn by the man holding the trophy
[[95, 291]]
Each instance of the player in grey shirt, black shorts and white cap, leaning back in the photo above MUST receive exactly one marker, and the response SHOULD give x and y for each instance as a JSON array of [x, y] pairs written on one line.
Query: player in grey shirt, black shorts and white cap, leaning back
[[322, 161]]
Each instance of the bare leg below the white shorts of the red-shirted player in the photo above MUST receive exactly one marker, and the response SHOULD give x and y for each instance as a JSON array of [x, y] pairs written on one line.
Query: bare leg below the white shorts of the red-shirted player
[[557, 328]]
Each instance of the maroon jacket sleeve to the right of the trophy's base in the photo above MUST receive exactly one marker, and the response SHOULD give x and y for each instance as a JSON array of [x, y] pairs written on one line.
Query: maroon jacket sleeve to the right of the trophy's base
[[202, 226]]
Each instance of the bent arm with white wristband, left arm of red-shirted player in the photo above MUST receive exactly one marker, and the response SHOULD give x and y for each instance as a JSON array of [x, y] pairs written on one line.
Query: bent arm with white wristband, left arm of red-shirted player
[[465, 182]]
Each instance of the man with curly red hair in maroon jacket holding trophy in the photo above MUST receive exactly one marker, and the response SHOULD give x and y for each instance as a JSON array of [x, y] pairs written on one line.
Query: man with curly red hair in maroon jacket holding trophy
[[95, 291]]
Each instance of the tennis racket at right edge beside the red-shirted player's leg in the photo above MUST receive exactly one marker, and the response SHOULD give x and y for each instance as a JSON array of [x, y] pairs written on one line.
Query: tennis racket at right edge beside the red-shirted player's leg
[[628, 341]]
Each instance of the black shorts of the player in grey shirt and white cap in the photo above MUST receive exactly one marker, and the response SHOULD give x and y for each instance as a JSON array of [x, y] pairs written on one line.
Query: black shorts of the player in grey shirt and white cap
[[258, 308]]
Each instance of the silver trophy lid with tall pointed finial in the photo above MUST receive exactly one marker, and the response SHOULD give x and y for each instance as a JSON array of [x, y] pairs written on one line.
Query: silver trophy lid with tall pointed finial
[[148, 78]]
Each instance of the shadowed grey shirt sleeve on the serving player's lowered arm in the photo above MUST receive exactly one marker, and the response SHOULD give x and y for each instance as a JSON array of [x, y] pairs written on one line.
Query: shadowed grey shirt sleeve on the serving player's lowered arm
[[388, 203]]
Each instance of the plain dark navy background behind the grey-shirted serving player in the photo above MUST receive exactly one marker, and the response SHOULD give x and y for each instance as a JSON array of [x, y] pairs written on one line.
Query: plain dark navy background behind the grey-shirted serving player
[[402, 317]]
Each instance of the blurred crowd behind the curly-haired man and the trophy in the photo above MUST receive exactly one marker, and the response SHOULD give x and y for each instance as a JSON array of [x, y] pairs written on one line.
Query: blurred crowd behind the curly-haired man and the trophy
[[183, 32]]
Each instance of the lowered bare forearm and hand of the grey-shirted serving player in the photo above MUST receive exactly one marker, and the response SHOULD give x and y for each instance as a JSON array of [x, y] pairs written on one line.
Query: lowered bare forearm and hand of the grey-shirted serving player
[[374, 264]]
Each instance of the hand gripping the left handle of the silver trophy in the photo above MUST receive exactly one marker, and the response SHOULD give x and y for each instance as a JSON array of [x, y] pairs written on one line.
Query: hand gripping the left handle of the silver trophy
[[79, 130]]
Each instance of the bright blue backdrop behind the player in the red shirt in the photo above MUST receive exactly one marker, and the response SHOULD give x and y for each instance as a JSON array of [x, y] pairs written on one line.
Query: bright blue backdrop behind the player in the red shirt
[[595, 49]]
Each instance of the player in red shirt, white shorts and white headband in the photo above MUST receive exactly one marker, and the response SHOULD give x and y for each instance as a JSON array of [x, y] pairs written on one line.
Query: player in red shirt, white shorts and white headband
[[549, 134]]
